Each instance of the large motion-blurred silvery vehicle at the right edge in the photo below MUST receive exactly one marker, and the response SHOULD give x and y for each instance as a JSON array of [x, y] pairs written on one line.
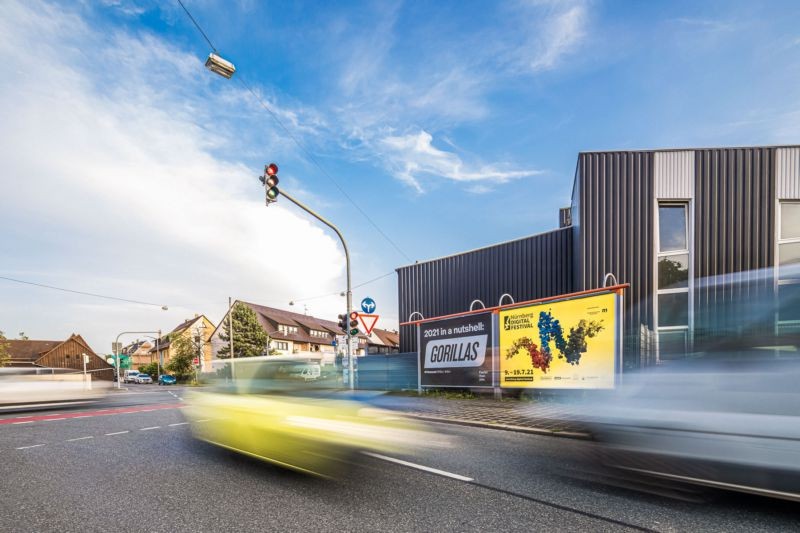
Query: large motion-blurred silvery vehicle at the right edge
[[725, 414]]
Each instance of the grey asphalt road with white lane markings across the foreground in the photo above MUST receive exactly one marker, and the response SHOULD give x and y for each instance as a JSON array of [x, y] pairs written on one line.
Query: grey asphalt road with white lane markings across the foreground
[[130, 464]]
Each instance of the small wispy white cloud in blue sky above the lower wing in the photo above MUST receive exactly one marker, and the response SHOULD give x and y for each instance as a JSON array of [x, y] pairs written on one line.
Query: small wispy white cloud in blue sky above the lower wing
[[412, 157]]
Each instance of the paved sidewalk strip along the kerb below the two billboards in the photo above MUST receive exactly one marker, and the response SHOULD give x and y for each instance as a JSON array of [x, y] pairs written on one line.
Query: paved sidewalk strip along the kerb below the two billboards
[[542, 418]]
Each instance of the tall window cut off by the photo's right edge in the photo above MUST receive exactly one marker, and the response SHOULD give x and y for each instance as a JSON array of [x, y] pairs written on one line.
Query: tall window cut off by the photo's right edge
[[788, 265]]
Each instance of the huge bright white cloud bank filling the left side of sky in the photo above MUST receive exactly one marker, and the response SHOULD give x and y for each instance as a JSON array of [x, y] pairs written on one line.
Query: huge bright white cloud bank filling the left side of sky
[[113, 183]]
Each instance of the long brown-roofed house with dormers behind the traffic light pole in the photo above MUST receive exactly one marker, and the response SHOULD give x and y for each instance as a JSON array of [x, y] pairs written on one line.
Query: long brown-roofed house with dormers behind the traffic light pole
[[294, 334]]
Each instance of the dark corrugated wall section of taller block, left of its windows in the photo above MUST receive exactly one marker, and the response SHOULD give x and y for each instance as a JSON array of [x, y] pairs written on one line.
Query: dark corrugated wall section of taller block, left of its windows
[[614, 201]]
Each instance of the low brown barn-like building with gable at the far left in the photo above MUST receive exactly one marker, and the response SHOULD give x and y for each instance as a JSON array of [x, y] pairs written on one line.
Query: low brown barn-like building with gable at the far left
[[66, 354]]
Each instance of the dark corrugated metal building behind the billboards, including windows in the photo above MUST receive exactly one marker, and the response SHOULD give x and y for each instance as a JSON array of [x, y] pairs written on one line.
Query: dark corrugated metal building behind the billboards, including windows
[[671, 223]]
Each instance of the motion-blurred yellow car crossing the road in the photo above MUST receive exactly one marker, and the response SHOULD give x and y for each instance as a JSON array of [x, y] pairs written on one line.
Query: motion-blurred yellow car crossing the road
[[272, 413]]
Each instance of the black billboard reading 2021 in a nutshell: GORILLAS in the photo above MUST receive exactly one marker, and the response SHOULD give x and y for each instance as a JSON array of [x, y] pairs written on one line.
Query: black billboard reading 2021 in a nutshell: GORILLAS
[[456, 352]]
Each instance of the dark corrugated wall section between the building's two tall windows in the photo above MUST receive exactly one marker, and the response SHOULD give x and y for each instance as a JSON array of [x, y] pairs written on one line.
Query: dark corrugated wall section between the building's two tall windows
[[734, 232]]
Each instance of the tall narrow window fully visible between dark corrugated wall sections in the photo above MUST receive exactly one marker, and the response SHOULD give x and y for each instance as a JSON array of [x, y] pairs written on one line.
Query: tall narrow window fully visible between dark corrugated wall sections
[[673, 279]]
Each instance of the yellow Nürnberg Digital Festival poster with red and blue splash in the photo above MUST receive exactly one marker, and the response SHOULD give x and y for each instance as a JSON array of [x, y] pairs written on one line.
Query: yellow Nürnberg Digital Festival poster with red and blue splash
[[569, 344]]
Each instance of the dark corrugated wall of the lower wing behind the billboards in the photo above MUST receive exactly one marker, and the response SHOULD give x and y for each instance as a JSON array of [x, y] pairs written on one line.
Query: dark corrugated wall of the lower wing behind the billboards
[[529, 268]]
